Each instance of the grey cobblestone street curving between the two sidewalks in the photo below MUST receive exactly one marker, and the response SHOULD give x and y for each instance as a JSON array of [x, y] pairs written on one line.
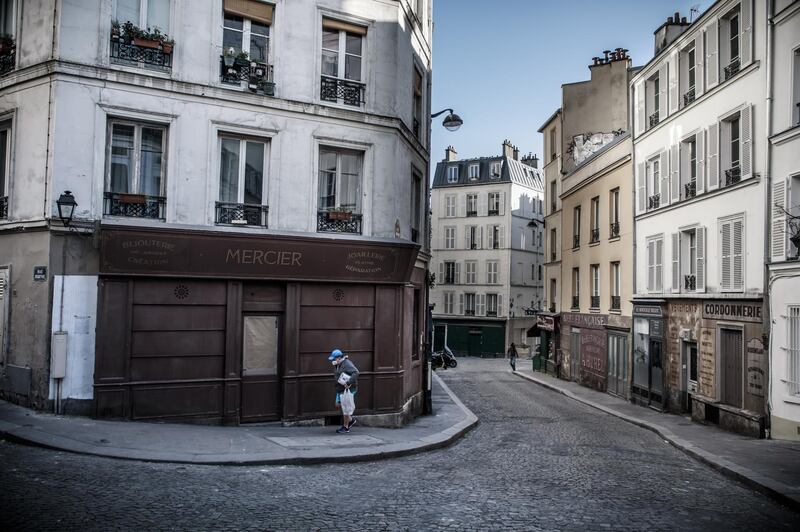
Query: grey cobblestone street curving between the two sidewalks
[[537, 460]]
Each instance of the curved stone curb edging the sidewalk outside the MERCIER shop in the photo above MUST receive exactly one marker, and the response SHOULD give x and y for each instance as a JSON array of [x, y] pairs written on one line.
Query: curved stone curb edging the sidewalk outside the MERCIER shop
[[37, 438]]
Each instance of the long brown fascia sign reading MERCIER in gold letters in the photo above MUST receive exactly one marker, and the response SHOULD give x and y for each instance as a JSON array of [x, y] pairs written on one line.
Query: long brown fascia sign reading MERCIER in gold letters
[[154, 252]]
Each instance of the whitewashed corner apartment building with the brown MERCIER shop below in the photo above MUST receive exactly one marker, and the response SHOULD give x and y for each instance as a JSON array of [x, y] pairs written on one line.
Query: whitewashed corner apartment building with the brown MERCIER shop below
[[202, 199]]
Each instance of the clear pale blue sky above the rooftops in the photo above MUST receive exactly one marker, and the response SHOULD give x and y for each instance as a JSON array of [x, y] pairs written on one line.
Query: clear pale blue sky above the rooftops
[[500, 63]]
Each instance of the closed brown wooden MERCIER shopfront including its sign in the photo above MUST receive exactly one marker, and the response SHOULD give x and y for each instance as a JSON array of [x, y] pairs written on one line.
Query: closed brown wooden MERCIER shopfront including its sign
[[225, 329]]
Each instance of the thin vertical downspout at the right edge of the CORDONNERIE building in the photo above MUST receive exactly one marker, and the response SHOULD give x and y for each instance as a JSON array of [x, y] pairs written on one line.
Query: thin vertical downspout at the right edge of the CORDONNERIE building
[[767, 318]]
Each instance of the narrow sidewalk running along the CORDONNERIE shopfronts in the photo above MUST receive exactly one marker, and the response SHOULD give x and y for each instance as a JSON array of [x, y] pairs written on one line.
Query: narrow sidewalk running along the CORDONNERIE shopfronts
[[769, 466]]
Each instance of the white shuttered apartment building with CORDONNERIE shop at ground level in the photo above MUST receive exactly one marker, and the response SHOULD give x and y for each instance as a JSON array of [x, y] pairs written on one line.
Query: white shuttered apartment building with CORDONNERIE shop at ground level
[[699, 109]]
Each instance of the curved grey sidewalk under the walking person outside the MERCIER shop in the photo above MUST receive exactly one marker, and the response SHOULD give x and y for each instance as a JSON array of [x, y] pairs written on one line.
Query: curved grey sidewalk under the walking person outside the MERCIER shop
[[262, 444]]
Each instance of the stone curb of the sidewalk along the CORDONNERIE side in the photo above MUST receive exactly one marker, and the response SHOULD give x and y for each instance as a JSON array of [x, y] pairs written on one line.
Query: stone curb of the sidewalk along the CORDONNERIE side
[[767, 486]]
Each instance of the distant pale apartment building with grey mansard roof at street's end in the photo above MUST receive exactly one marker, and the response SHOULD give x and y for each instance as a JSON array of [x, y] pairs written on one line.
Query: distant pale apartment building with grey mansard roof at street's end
[[487, 251]]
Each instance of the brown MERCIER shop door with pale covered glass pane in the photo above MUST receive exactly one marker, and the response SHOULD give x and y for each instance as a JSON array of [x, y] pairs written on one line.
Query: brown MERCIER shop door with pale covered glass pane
[[261, 353]]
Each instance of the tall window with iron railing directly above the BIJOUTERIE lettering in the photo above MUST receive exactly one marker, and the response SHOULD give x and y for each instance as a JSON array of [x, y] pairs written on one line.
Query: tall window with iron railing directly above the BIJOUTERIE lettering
[[135, 181]]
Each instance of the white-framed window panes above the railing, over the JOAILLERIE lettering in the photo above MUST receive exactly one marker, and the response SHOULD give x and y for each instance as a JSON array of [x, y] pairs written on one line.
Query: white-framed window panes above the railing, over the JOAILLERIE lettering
[[339, 179]]
